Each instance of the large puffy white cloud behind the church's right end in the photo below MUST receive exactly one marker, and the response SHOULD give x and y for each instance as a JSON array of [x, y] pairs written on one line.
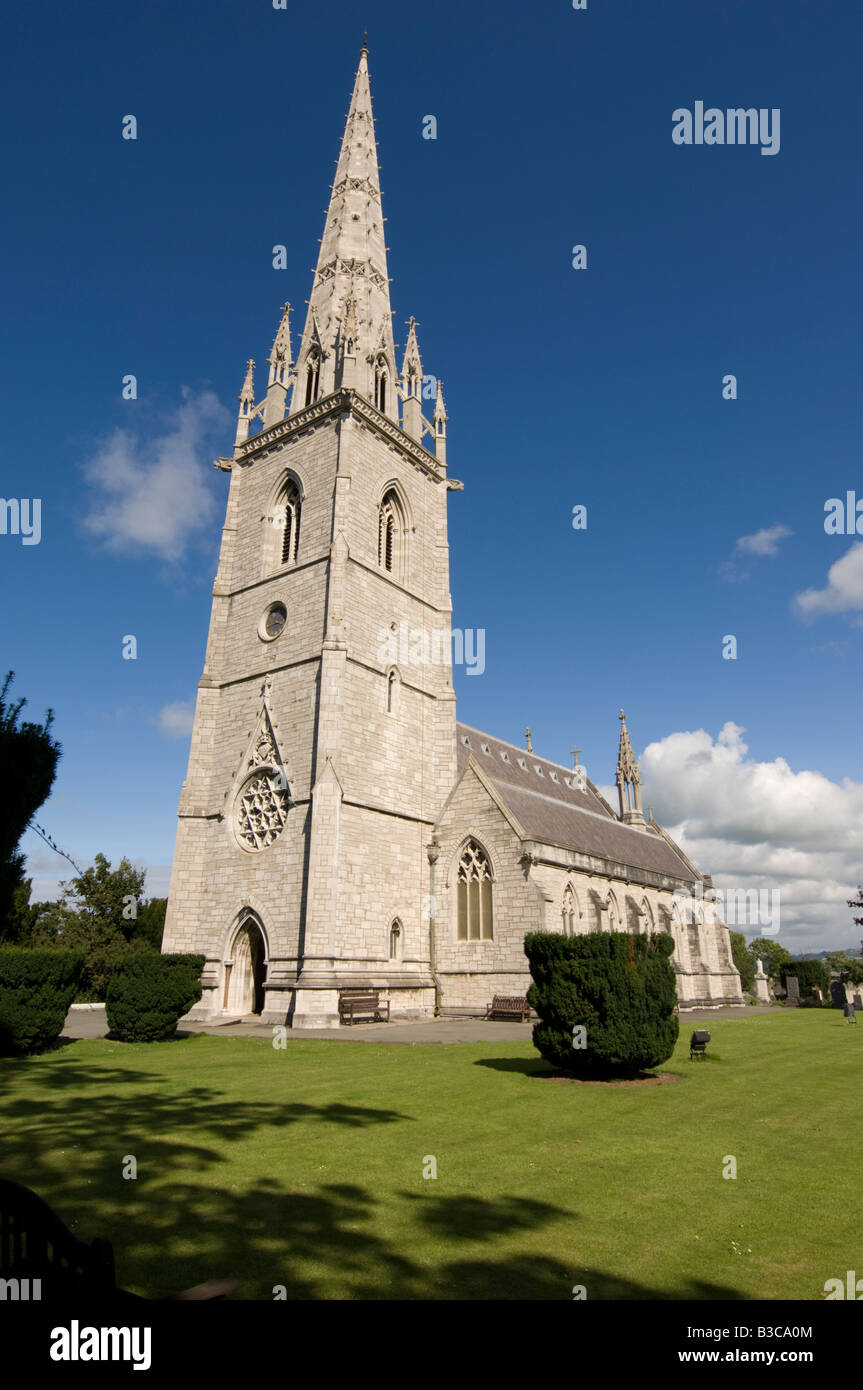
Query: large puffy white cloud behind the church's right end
[[761, 825]]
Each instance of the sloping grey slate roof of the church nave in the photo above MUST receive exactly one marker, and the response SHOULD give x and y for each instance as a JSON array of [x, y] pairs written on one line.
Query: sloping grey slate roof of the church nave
[[550, 808]]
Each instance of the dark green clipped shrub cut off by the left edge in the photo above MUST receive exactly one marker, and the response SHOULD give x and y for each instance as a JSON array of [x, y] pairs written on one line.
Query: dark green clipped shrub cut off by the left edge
[[37, 989]]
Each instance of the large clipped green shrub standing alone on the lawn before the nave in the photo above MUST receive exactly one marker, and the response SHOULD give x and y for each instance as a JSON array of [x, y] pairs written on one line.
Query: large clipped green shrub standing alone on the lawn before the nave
[[619, 988]]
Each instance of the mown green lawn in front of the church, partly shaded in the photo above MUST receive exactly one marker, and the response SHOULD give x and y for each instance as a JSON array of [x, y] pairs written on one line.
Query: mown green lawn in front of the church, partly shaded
[[304, 1167]]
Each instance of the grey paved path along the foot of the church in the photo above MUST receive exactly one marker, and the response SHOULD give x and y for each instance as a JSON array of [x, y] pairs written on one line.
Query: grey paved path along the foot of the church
[[91, 1024]]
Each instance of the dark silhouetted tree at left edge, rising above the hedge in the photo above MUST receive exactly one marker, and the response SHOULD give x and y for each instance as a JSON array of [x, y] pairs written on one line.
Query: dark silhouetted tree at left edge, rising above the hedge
[[28, 767]]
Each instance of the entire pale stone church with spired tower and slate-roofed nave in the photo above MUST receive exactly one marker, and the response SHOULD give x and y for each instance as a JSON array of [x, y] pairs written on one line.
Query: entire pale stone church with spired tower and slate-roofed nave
[[337, 826]]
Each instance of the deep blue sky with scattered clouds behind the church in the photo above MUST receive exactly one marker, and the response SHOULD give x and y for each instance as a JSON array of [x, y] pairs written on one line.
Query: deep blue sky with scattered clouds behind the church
[[598, 387]]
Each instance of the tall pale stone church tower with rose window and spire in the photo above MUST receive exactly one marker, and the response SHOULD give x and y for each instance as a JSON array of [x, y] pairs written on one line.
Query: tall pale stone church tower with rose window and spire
[[324, 739]]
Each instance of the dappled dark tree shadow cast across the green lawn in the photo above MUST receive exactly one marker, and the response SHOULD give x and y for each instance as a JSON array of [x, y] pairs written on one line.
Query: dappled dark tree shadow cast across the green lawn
[[177, 1225]]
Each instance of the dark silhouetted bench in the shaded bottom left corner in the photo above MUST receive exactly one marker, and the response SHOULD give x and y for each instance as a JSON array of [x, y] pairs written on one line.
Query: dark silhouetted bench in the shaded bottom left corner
[[51, 1264]]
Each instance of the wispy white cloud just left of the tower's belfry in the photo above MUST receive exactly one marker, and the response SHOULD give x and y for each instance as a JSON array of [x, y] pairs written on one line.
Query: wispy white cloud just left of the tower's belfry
[[155, 494]]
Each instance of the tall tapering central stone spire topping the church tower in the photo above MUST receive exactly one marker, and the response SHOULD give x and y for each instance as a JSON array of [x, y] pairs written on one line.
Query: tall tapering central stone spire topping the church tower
[[352, 276]]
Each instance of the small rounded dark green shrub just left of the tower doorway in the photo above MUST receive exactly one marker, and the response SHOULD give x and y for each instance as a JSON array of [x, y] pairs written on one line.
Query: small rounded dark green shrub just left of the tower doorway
[[149, 993]]
